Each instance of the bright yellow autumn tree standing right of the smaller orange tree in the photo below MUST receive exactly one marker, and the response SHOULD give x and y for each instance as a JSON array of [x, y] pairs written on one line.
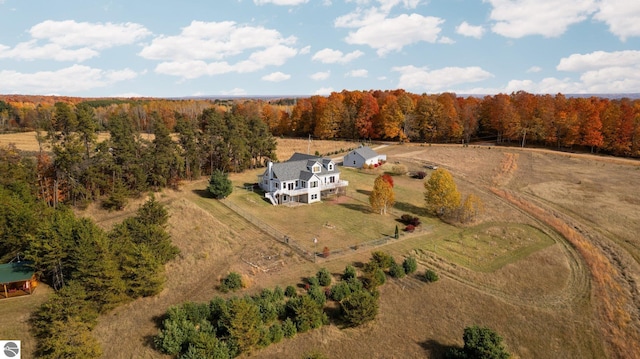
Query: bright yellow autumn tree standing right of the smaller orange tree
[[441, 193]]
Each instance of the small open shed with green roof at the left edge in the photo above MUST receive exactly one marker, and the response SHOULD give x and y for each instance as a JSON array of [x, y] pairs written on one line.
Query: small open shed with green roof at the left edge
[[16, 279]]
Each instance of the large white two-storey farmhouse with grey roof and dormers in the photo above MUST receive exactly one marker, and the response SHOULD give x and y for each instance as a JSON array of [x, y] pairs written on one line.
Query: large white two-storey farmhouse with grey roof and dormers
[[302, 178]]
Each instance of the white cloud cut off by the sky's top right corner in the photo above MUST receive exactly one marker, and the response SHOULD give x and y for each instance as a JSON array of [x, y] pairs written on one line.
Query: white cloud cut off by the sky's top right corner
[[622, 16]]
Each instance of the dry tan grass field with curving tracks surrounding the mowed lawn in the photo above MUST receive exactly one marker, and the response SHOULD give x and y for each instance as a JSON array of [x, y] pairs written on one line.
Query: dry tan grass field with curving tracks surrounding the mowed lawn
[[551, 265]]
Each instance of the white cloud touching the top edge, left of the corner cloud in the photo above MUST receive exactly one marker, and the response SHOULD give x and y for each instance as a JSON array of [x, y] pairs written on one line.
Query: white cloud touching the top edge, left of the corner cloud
[[549, 18]]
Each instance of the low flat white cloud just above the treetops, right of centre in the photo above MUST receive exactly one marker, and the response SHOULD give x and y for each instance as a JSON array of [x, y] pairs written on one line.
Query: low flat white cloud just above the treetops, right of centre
[[421, 79]]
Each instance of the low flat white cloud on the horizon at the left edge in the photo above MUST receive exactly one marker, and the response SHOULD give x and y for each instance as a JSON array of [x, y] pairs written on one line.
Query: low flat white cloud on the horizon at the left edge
[[76, 78]]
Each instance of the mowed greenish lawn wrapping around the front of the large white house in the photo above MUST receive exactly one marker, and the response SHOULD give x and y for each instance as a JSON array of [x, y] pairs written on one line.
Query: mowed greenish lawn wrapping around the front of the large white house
[[348, 222]]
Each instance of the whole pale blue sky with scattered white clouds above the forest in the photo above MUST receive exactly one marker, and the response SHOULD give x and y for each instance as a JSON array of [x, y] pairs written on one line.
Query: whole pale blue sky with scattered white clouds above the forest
[[166, 48]]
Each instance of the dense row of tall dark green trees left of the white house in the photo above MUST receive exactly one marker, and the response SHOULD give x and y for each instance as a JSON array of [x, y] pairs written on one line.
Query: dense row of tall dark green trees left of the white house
[[82, 169]]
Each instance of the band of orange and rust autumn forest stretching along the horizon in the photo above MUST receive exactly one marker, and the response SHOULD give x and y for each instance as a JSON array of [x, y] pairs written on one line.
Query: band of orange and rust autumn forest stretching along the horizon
[[598, 124]]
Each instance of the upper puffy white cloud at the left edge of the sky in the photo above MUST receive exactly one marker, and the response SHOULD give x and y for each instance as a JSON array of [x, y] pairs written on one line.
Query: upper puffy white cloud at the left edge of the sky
[[73, 41]]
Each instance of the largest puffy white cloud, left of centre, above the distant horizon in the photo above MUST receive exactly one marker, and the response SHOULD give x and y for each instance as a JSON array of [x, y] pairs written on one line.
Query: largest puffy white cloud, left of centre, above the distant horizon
[[202, 48]]
